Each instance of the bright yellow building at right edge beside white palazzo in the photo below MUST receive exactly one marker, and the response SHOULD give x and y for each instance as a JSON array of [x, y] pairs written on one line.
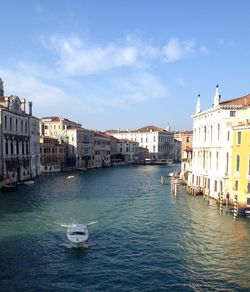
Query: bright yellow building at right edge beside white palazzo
[[240, 176]]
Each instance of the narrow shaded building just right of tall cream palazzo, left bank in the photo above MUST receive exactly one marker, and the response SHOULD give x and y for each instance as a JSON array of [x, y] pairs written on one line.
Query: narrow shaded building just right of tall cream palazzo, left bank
[[101, 149]]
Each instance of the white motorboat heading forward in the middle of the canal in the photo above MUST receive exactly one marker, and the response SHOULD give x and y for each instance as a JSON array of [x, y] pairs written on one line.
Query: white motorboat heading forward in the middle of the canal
[[78, 234]]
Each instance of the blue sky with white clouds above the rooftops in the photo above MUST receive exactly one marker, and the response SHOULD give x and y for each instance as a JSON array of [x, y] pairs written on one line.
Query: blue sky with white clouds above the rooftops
[[124, 64]]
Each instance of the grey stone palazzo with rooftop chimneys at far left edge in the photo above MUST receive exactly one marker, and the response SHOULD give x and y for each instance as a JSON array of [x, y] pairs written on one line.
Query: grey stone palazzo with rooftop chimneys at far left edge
[[19, 144]]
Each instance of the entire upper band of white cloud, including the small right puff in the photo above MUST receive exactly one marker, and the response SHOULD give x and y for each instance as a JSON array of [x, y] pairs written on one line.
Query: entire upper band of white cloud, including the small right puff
[[77, 57]]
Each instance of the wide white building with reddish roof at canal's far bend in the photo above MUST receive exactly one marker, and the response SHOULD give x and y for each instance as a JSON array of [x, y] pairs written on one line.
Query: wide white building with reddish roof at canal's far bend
[[159, 142]]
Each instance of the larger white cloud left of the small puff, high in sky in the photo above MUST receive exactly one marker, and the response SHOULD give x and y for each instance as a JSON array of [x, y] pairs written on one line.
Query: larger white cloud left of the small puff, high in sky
[[77, 58]]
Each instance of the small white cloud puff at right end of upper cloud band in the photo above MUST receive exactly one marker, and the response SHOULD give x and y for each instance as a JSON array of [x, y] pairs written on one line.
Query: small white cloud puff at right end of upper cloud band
[[175, 49]]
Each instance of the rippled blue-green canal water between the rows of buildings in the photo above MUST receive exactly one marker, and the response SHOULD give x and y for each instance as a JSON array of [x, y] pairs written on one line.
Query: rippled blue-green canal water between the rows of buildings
[[144, 238]]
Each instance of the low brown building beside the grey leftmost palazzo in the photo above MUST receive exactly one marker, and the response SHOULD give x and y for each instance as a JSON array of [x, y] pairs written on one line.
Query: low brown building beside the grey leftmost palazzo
[[53, 154]]
